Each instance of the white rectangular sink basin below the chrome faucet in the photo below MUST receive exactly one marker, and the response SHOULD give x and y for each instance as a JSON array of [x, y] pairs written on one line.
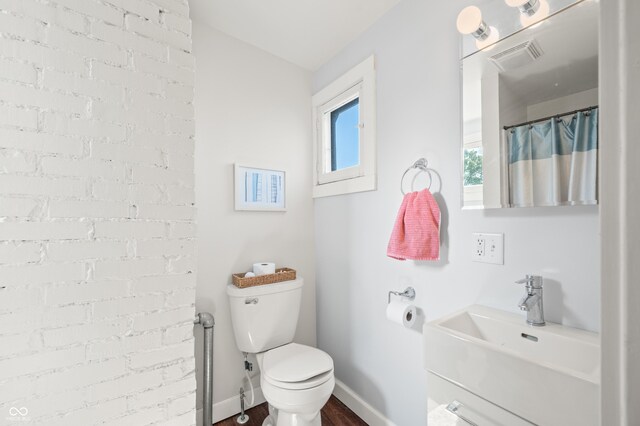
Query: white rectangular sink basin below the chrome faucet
[[548, 375]]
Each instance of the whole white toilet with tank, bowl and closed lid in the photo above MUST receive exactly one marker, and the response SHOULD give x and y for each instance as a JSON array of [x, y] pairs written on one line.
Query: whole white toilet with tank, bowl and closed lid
[[296, 380]]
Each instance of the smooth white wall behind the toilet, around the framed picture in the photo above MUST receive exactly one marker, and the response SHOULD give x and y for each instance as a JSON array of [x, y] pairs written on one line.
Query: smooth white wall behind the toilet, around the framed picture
[[254, 109]]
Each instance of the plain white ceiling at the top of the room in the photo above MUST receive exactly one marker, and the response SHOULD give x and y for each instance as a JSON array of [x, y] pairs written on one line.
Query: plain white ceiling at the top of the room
[[305, 32]]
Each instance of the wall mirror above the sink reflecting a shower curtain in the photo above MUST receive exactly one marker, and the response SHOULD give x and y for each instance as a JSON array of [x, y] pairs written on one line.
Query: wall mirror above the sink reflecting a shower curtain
[[530, 115]]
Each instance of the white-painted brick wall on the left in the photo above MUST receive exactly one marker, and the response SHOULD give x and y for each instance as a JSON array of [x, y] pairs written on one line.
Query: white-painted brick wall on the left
[[97, 249]]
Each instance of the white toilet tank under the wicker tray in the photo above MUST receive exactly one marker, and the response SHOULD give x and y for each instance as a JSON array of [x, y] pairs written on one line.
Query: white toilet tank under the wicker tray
[[265, 316]]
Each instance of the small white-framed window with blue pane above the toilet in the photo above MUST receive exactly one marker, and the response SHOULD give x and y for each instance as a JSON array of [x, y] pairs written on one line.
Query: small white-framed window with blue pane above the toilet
[[344, 134]]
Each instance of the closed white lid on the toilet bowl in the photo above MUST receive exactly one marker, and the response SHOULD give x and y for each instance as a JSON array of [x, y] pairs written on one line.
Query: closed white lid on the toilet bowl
[[294, 363]]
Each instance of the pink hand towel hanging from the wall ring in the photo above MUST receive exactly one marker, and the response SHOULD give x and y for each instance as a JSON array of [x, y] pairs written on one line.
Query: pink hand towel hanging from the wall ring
[[416, 234]]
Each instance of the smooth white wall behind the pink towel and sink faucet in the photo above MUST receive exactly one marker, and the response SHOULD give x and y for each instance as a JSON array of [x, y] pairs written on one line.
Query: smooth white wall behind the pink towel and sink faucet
[[416, 47]]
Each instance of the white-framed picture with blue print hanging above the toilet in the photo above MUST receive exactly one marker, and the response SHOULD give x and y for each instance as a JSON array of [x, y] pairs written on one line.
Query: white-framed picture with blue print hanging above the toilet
[[259, 189]]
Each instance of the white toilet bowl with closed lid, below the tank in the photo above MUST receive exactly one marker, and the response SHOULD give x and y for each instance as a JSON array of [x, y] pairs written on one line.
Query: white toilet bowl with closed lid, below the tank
[[296, 381]]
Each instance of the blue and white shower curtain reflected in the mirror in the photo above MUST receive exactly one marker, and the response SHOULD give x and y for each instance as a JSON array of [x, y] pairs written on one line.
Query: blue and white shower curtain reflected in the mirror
[[554, 162]]
